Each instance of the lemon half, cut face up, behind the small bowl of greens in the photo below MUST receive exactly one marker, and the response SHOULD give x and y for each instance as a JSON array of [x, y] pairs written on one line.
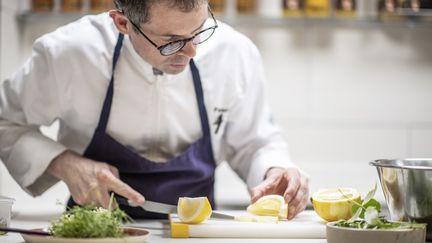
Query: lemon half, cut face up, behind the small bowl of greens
[[334, 204]]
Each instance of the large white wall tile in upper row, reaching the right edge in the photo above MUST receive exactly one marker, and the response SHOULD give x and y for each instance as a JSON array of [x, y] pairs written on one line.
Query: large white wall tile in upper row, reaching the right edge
[[383, 79]]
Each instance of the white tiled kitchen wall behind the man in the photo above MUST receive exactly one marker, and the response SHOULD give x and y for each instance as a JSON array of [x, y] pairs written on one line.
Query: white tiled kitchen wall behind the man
[[344, 95]]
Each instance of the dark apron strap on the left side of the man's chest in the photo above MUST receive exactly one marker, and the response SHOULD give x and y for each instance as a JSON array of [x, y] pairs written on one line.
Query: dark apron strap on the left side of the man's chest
[[103, 119]]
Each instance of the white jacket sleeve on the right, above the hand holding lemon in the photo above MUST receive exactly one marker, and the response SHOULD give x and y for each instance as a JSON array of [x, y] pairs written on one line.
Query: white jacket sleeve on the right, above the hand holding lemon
[[253, 141]]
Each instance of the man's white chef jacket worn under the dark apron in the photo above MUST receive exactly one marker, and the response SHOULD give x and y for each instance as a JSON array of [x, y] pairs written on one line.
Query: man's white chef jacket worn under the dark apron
[[67, 77]]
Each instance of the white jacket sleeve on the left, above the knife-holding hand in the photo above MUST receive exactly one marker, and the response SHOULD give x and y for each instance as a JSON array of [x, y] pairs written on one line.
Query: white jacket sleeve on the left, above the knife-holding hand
[[28, 100]]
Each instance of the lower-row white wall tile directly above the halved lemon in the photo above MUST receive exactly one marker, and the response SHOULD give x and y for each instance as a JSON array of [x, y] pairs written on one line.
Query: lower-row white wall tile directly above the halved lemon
[[341, 142]]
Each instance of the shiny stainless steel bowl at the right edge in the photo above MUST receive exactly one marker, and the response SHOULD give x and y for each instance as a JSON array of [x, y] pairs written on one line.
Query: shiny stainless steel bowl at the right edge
[[407, 187]]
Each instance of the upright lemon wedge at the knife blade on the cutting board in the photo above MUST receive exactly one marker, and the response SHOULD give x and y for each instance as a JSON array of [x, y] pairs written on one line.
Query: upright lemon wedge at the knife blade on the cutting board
[[193, 210]]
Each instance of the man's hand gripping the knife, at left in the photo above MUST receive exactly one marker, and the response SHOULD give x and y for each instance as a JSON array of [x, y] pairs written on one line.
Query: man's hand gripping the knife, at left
[[90, 181]]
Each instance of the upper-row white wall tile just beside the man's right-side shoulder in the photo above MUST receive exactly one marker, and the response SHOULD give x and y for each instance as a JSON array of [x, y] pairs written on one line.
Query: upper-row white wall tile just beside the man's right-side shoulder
[[284, 62]]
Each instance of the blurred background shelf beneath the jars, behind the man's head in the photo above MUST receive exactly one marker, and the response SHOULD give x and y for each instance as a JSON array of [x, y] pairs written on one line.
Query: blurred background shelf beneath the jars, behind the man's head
[[401, 20]]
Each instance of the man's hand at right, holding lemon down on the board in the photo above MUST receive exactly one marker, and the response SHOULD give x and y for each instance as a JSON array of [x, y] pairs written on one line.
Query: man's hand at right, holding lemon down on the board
[[290, 183]]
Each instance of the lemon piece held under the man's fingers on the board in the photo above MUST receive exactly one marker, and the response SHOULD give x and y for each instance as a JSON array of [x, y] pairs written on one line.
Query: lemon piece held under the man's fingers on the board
[[269, 205]]
